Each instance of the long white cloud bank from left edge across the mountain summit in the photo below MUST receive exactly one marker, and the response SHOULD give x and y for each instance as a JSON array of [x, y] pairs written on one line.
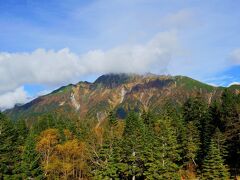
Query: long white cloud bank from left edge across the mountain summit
[[54, 68]]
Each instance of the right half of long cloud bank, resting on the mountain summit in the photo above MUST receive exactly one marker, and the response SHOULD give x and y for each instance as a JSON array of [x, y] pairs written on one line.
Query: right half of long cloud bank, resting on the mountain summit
[[152, 56]]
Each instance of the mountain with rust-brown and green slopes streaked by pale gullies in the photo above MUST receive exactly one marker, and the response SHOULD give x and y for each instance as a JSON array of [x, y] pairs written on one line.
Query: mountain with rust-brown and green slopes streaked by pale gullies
[[121, 92]]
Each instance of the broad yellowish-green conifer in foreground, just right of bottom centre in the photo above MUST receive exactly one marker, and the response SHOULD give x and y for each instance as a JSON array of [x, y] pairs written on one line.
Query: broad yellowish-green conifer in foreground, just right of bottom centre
[[164, 157]]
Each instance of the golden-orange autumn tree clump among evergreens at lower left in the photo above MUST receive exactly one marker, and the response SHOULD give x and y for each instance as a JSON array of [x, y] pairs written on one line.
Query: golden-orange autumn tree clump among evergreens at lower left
[[67, 160]]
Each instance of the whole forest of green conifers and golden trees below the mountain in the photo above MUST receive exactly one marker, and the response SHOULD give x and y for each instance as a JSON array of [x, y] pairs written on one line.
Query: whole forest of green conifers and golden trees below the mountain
[[197, 139]]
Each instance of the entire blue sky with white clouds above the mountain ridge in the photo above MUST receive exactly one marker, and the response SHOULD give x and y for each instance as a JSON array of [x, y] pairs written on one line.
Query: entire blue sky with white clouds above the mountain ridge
[[49, 43]]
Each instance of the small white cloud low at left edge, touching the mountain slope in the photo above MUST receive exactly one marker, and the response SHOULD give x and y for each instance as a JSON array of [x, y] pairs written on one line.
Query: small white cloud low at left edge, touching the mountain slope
[[9, 99]]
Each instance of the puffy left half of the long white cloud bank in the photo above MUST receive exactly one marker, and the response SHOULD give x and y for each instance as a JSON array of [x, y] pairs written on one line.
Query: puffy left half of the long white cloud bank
[[40, 66]]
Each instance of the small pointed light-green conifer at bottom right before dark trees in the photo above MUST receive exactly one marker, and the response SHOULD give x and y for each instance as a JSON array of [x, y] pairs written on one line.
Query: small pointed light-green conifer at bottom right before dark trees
[[213, 165]]
